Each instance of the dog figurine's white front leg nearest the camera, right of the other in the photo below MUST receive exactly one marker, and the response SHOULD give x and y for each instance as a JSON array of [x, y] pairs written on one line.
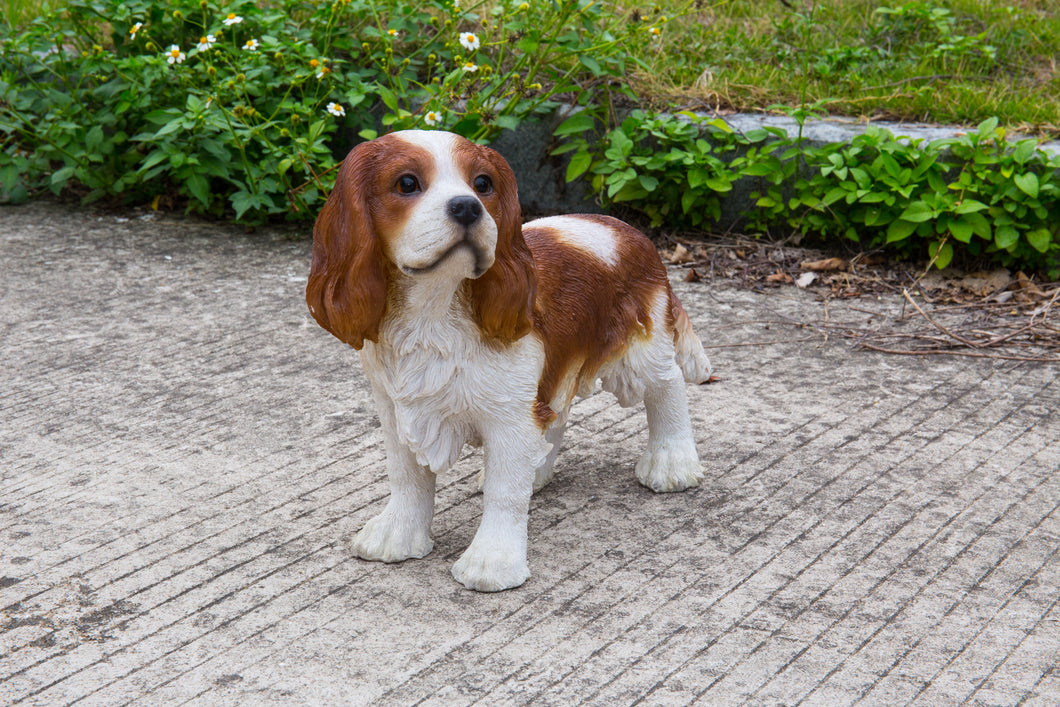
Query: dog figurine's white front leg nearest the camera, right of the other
[[497, 558]]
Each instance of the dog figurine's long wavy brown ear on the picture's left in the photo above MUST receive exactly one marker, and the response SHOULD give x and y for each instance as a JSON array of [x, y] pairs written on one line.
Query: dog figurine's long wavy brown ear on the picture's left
[[347, 292]]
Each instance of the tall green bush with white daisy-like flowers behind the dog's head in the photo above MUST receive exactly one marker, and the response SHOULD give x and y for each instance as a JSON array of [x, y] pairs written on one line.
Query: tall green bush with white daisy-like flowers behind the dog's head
[[243, 108]]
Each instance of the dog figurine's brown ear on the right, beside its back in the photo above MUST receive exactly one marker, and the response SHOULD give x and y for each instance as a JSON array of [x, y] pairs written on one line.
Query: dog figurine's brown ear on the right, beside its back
[[503, 297]]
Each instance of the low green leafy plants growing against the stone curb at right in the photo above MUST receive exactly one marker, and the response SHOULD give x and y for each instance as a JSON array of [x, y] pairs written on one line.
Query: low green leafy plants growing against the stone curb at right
[[977, 195]]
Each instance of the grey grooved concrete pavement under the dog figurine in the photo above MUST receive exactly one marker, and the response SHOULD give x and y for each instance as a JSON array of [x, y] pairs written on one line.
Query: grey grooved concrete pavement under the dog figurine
[[185, 455]]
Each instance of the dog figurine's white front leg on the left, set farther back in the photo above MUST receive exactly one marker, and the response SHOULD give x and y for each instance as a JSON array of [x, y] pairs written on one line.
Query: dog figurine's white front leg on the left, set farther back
[[402, 531]]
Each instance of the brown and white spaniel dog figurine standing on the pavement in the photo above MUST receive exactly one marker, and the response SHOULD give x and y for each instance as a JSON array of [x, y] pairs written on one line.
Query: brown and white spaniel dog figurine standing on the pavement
[[474, 328]]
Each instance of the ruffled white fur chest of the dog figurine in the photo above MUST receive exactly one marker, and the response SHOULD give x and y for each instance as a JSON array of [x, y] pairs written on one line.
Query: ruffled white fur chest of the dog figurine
[[446, 384]]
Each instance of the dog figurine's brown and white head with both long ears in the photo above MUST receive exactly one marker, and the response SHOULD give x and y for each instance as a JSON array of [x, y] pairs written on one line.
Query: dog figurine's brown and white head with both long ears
[[421, 204]]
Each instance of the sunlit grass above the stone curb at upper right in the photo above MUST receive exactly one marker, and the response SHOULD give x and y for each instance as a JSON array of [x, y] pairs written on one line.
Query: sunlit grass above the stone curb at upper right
[[937, 61]]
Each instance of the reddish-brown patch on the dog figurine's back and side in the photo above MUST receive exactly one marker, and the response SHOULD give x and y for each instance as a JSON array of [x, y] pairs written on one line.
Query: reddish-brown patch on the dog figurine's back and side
[[587, 312]]
